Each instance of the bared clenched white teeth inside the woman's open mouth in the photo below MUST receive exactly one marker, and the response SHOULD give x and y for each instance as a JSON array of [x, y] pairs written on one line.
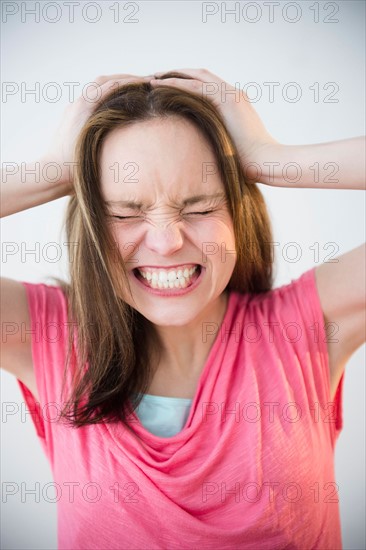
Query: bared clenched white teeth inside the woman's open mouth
[[168, 279]]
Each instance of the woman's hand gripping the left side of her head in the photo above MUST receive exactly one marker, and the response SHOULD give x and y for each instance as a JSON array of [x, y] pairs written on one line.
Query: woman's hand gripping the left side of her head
[[62, 148]]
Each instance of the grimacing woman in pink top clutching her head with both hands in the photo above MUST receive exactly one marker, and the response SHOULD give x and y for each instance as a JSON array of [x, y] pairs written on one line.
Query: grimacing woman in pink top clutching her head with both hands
[[205, 404]]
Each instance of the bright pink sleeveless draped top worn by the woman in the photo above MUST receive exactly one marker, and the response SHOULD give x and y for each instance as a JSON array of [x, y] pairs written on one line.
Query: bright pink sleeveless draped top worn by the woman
[[253, 467]]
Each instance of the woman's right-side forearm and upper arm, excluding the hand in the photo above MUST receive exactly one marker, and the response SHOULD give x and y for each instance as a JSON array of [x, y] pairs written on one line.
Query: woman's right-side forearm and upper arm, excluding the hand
[[341, 285]]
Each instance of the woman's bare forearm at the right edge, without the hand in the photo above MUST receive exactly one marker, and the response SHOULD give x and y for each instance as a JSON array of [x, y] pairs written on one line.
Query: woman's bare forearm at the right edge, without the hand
[[331, 165]]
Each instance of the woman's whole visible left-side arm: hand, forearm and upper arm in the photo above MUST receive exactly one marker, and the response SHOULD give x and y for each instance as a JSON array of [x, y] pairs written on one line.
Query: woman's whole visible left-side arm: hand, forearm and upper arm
[[21, 190]]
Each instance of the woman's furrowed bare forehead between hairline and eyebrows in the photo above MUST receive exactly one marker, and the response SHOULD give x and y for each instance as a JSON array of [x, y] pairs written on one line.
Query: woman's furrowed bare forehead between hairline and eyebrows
[[165, 157]]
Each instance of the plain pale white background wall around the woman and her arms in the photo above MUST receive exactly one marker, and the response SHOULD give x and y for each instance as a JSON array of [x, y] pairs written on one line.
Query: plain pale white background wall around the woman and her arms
[[165, 36]]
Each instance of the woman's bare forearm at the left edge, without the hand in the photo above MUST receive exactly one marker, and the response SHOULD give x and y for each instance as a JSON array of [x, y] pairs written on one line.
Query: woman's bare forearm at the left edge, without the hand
[[24, 186]]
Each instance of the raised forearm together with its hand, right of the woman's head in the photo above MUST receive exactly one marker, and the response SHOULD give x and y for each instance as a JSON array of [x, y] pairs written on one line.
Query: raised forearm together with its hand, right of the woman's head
[[333, 165]]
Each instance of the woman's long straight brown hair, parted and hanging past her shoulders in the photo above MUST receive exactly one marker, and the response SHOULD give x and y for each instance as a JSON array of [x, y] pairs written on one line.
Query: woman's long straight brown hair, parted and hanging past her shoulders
[[111, 366]]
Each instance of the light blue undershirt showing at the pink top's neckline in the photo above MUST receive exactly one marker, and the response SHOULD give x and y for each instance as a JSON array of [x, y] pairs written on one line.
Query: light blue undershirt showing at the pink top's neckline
[[163, 416]]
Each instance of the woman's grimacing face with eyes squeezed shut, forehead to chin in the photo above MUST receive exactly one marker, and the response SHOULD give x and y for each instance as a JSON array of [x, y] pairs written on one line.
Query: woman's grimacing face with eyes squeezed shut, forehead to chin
[[151, 175]]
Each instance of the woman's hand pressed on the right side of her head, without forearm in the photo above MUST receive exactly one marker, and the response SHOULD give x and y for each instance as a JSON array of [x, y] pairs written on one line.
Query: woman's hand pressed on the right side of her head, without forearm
[[252, 140]]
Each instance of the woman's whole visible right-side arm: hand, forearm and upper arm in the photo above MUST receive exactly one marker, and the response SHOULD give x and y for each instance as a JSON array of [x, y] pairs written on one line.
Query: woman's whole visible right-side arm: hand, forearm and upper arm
[[332, 165]]
